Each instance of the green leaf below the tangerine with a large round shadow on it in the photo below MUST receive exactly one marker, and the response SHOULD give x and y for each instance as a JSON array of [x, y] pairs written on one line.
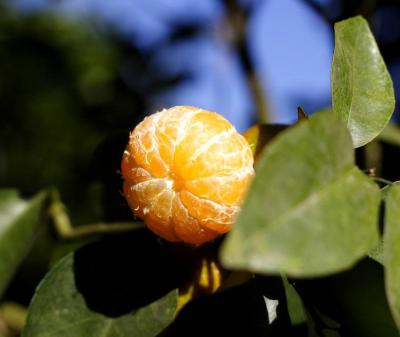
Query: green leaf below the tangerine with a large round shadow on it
[[106, 289]]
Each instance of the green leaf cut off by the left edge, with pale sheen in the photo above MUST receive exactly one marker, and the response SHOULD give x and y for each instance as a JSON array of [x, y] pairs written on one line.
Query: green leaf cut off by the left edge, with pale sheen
[[19, 224]]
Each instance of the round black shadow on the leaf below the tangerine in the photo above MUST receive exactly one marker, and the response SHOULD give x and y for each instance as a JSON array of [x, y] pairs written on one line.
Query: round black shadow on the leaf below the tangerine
[[124, 273]]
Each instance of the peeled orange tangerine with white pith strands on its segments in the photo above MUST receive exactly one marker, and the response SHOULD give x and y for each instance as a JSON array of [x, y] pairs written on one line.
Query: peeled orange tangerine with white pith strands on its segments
[[185, 172]]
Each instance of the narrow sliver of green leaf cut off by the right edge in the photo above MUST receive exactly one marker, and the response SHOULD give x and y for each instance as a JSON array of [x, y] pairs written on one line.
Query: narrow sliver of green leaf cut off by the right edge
[[392, 250]]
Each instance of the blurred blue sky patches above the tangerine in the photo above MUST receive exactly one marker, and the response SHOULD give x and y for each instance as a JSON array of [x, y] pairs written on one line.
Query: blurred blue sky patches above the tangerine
[[290, 45]]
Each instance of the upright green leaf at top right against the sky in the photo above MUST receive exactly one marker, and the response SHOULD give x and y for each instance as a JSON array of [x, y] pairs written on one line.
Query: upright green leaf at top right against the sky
[[362, 90]]
